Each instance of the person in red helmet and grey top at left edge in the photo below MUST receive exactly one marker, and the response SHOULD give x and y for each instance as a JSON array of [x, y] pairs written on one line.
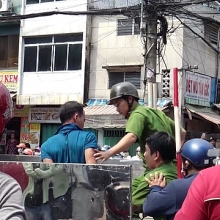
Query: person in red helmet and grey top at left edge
[[11, 199]]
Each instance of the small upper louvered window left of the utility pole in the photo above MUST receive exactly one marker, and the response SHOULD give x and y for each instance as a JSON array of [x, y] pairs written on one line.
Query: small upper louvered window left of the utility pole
[[127, 27]]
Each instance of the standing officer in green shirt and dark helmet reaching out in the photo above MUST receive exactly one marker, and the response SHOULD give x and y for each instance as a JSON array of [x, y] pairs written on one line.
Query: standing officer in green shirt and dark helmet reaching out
[[142, 121]]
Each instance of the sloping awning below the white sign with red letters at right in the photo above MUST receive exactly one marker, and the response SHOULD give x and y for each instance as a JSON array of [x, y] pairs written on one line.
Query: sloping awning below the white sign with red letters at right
[[205, 113]]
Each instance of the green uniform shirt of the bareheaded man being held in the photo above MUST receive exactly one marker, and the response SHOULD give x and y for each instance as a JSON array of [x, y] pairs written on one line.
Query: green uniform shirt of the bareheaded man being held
[[140, 188]]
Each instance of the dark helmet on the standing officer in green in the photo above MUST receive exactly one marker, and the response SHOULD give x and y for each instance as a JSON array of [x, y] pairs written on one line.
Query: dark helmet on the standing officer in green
[[123, 89]]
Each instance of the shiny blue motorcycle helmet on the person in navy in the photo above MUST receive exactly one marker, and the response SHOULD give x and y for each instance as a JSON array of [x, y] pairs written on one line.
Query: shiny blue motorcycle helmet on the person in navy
[[195, 151]]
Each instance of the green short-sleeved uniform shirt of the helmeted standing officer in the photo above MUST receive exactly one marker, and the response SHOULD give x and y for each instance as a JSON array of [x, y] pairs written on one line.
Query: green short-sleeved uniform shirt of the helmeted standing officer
[[144, 121]]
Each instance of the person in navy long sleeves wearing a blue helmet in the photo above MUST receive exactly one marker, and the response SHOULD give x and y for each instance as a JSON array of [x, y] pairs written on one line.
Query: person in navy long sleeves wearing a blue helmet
[[167, 201]]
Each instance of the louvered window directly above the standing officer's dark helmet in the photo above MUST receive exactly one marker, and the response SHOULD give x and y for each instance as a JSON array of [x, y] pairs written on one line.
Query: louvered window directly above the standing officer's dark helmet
[[132, 77]]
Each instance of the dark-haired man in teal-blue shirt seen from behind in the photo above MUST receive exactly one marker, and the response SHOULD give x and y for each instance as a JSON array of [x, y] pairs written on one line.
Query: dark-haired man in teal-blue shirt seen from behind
[[70, 144]]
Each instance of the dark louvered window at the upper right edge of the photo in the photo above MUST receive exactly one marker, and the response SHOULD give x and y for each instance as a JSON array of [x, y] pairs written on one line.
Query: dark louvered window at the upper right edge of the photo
[[211, 33]]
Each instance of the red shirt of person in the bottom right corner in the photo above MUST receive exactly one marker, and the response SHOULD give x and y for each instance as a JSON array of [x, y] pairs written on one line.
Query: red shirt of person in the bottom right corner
[[203, 196]]
